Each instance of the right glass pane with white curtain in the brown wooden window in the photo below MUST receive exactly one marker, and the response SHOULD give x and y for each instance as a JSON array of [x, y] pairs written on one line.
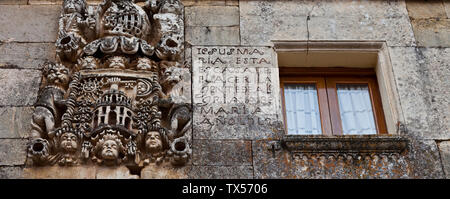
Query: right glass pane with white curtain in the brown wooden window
[[356, 109]]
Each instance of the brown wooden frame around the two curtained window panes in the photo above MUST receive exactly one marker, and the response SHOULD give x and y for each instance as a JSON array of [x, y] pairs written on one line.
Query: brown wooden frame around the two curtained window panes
[[326, 80]]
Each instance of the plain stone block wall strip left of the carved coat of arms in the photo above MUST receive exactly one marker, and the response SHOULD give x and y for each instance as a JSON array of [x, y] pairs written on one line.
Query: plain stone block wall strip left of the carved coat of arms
[[27, 39]]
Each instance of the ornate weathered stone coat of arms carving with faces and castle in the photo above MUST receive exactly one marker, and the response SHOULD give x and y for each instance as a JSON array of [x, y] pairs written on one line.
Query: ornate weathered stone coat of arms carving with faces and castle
[[108, 100]]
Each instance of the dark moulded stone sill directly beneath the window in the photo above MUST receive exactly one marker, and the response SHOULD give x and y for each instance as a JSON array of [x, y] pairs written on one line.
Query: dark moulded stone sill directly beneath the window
[[344, 144]]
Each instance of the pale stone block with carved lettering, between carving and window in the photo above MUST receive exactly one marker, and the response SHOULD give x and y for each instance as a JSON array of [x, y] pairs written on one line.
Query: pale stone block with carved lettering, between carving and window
[[235, 92]]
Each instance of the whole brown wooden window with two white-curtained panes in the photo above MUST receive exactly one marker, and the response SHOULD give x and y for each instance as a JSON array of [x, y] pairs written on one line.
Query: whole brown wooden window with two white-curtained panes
[[331, 101]]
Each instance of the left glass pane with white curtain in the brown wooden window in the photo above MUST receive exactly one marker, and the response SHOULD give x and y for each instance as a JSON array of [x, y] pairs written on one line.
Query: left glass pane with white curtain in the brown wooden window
[[302, 109]]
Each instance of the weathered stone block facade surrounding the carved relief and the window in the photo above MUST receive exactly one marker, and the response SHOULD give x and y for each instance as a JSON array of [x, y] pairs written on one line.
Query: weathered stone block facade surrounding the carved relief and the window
[[230, 78]]
